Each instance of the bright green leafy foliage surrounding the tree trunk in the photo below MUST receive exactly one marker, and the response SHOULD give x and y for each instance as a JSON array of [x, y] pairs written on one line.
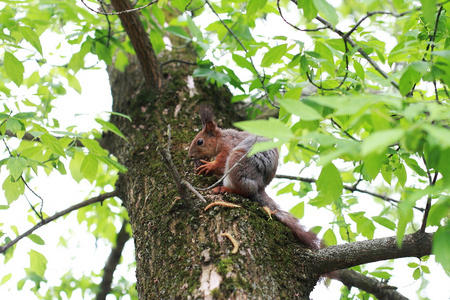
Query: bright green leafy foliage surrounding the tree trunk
[[361, 87]]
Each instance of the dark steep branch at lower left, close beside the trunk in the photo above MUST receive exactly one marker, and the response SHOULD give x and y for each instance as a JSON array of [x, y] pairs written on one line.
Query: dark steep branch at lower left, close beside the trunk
[[112, 262]]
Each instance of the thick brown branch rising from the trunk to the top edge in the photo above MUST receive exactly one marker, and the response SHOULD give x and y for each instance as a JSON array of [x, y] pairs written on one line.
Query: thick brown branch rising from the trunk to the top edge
[[141, 43]]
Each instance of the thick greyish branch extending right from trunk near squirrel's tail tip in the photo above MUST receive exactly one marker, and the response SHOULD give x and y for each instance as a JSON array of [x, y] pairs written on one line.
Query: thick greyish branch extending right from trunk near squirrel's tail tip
[[353, 254]]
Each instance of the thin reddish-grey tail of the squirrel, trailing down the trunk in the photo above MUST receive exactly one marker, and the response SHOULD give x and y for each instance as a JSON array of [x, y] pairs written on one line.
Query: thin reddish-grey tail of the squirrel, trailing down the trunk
[[307, 238]]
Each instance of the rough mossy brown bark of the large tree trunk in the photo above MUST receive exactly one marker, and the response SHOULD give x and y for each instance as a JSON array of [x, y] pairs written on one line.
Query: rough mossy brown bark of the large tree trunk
[[180, 250]]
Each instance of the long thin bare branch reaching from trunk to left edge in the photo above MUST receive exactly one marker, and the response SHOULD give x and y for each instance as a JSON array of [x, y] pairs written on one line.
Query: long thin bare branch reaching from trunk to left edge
[[99, 198]]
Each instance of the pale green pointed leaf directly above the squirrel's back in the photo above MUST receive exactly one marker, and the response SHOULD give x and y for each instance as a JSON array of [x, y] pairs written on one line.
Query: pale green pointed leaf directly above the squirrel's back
[[271, 128]]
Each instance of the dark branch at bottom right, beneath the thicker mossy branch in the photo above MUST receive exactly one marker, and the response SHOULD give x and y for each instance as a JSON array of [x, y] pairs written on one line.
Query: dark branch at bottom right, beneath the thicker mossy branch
[[380, 290]]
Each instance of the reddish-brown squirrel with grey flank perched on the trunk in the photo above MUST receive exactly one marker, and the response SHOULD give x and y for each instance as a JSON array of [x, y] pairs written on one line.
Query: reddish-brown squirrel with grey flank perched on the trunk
[[250, 176]]
